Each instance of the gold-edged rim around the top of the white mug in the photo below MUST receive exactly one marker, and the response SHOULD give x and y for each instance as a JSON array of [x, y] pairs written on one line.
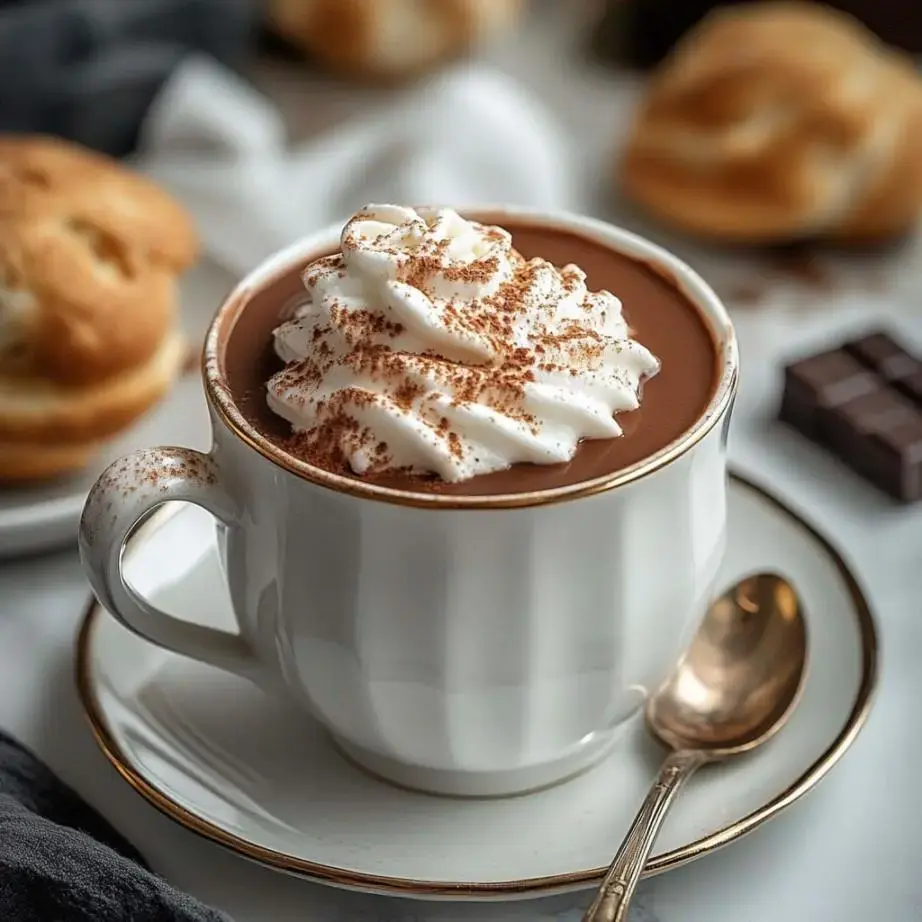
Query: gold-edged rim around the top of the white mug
[[660, 260]]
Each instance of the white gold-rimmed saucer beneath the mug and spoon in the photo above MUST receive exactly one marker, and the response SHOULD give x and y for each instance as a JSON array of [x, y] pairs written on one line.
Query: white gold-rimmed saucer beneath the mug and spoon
[[248, 772]]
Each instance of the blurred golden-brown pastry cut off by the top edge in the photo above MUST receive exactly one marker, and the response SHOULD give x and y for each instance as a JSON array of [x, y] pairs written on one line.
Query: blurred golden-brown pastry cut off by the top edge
[[388, 38]]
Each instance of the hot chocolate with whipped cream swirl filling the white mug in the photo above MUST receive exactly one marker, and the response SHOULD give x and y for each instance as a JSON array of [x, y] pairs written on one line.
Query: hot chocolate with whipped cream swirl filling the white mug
[[611, 377]]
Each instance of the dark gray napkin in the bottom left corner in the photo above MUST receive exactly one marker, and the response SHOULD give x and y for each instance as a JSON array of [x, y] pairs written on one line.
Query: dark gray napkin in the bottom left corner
[[60, 861]]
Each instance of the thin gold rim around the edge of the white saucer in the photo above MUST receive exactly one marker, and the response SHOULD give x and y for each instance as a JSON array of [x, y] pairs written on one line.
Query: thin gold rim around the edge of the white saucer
[[532, 886]]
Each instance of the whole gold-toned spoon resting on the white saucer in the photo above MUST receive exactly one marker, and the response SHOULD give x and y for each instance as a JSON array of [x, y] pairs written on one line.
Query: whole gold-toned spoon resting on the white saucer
[[734, 688]]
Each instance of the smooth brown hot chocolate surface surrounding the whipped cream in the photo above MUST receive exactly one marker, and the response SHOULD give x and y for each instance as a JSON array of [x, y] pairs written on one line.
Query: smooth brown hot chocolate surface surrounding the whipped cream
[[659, 314]]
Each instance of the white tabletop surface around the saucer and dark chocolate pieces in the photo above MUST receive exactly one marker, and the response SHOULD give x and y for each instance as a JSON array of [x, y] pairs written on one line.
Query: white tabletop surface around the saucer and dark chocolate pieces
[[848, 852]]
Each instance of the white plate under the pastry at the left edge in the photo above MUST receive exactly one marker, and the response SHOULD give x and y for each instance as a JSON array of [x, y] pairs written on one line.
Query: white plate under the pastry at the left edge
[[45, 516]]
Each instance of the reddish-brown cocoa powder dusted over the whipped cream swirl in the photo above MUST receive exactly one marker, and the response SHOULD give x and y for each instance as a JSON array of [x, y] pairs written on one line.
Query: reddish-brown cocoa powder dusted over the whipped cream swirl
[[498, 380]]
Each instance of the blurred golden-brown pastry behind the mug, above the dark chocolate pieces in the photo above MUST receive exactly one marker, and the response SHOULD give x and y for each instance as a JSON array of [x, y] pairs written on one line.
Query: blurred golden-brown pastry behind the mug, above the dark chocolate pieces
[[780, 121]]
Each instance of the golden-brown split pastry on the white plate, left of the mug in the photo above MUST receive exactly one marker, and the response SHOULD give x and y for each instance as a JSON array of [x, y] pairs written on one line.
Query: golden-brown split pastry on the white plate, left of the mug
[[89, 339]]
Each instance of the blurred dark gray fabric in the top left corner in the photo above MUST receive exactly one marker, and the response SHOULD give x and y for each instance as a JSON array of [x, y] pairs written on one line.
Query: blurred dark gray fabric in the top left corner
[[89, 69]]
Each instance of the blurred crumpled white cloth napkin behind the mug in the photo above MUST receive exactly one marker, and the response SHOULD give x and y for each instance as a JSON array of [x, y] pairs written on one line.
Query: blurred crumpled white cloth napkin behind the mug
[[469, 136]]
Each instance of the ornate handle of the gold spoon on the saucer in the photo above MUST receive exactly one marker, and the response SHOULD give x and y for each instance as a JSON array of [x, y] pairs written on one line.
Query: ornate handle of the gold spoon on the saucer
[[618, 886]]
